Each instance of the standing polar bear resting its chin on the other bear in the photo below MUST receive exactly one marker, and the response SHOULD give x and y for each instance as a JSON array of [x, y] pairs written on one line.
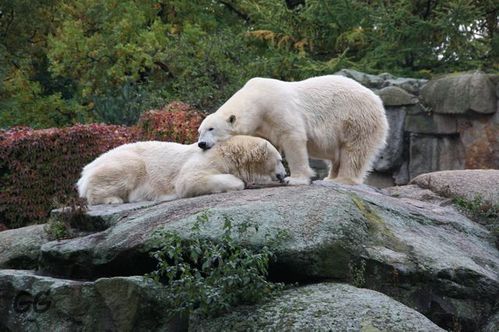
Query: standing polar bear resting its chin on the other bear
[[331, 117]]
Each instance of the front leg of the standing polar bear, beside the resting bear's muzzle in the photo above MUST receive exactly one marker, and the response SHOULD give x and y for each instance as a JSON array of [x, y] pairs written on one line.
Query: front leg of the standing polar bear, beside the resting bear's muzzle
[[296, 154]]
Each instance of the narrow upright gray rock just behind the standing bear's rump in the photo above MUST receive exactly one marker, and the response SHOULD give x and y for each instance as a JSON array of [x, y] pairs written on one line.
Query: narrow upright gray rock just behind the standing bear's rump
[[391, 156]]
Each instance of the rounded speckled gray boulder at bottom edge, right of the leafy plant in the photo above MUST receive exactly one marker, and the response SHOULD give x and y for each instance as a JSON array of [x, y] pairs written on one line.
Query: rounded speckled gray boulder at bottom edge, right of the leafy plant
[[321, 307]]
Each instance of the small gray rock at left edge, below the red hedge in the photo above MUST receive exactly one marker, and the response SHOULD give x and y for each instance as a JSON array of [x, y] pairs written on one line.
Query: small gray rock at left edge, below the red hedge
[[20, 248]]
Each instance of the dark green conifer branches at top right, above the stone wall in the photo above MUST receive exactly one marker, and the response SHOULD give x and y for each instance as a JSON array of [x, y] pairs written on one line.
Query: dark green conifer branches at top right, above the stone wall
[[400, 36]]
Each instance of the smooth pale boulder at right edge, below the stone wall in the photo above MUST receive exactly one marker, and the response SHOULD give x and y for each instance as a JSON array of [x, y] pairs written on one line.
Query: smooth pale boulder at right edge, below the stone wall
[[464, 183]]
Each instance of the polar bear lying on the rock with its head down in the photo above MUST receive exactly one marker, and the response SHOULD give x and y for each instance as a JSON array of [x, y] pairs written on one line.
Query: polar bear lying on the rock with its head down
[[165, 171]]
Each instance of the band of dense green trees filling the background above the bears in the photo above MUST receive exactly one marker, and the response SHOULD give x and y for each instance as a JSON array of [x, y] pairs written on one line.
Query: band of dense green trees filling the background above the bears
[[63, 62]]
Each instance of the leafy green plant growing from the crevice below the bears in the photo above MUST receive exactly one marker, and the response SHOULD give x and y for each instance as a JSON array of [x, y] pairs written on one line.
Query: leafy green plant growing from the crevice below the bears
[[212, 275]]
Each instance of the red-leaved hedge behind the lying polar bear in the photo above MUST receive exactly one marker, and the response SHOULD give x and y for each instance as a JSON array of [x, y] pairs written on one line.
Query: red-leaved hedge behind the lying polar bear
[[39, 168]]
